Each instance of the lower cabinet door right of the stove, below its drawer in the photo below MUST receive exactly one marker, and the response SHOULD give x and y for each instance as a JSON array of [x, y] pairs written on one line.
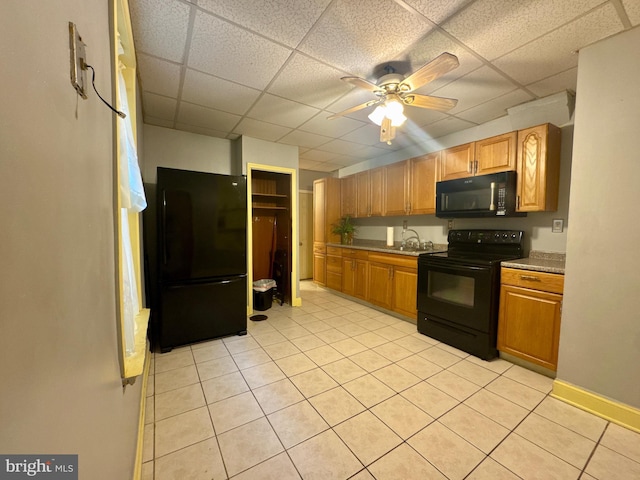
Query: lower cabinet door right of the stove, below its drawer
[[529, 325]]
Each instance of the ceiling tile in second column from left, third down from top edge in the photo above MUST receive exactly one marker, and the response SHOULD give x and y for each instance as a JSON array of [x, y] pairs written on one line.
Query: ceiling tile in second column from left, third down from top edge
[[208, 91]]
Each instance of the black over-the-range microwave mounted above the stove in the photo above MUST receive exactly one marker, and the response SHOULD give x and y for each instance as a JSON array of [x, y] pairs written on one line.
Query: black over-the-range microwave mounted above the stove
[[492, 195]]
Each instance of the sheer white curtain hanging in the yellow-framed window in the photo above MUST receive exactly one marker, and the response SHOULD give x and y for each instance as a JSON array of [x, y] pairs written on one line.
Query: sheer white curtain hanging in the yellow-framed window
[[132, 199]]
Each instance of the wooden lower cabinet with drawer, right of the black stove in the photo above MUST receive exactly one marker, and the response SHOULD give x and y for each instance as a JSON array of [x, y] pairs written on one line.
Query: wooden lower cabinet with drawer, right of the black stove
[[529, 318]]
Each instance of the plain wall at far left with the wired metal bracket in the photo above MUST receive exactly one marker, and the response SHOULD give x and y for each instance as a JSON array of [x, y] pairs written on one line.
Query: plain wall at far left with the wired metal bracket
[[59, 367]]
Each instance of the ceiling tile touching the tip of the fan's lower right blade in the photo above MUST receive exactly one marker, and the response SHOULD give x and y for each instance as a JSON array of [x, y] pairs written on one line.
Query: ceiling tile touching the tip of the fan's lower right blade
[[475, 88]]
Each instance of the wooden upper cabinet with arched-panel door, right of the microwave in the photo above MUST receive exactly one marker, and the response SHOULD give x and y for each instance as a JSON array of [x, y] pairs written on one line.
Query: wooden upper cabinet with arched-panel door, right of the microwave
[[538, 168]]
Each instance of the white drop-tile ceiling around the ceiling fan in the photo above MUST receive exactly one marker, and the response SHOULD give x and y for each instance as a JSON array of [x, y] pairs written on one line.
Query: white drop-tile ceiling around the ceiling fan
[[271, 69]]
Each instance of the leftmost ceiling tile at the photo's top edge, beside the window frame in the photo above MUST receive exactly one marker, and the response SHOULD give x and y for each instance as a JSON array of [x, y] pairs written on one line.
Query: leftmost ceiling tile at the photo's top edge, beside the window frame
[[160, 27]]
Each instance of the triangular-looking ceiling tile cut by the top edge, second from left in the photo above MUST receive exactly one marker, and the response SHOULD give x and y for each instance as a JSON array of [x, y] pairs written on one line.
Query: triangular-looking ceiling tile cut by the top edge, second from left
[[276, 19]]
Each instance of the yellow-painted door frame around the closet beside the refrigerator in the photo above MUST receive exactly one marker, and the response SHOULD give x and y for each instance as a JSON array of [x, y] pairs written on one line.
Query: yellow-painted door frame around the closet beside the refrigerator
[[296, 301]]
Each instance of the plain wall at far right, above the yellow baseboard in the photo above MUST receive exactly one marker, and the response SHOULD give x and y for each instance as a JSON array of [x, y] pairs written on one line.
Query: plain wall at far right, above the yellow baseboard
[[600, 334]]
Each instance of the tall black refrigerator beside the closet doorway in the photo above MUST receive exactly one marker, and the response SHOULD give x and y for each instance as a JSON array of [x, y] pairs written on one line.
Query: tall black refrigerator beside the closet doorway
[[201, 256]]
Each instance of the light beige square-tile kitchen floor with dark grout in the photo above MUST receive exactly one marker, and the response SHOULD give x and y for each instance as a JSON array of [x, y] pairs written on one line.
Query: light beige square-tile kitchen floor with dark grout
[[336, 390]]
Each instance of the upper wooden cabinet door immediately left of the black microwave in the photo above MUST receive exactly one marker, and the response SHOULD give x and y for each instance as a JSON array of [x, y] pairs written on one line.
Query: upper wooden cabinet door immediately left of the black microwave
[[422, 184]]
